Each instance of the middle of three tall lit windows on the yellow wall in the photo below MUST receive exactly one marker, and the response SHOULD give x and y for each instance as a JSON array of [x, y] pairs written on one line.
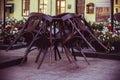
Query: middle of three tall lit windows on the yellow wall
[[42, 6]]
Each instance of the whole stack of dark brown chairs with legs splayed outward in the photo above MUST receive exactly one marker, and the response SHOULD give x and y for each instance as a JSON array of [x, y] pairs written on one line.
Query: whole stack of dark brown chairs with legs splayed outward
[[67, 31]]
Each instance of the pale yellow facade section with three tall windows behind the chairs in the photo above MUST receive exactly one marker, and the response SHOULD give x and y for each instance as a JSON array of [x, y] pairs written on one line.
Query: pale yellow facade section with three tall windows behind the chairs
[[22, 8]]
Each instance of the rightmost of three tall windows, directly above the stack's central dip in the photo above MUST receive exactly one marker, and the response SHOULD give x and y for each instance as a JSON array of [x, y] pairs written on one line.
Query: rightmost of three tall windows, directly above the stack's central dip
[[60, 6]]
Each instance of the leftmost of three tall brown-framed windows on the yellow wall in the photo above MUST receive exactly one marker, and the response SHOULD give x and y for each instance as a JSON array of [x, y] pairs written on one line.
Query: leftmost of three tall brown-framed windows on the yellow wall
[[25, 7]]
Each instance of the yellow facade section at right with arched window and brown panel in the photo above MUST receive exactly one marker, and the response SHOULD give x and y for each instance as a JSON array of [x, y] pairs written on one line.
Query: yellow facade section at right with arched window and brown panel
[[100, 10]]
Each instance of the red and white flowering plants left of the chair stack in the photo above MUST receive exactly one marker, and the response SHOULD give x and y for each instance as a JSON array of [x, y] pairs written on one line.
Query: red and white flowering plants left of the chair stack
[[9, 32]]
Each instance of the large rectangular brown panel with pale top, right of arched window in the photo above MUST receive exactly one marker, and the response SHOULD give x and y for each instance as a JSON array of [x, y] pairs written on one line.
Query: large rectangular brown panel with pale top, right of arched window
[[102, 10]]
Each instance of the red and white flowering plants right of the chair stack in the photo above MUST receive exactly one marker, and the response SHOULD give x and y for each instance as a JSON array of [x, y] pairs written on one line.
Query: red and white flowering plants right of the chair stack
[[111, 38]]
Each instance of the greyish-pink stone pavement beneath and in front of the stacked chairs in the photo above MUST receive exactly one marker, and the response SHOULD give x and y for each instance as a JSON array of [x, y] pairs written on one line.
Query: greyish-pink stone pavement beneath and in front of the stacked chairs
[[99, 69]]
